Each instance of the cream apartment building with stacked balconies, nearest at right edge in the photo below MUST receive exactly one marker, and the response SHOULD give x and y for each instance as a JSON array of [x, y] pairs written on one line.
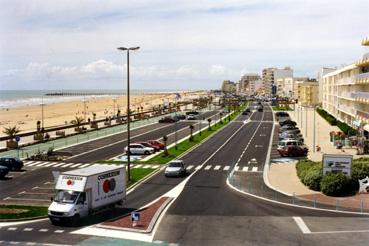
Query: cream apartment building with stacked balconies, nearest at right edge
[[346, 92]]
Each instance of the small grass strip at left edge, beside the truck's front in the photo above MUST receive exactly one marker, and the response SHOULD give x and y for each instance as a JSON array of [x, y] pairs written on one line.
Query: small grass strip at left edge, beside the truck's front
[[21, 212]]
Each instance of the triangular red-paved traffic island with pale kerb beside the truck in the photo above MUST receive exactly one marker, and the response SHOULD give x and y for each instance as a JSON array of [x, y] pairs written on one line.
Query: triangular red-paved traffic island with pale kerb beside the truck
[[148, 217]]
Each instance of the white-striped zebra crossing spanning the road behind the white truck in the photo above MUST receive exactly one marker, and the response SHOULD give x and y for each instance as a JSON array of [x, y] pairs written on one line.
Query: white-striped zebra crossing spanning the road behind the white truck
[[152, 166]]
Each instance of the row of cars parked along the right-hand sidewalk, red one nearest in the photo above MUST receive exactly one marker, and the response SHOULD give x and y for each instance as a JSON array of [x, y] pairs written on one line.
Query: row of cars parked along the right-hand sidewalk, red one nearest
[[291, 141]]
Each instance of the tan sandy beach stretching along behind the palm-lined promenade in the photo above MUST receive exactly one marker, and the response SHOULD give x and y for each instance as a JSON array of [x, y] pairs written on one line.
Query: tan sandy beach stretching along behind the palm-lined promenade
[[61, 113]]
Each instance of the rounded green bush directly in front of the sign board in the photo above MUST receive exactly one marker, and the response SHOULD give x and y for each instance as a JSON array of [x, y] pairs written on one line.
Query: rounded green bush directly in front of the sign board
[[335, 184]]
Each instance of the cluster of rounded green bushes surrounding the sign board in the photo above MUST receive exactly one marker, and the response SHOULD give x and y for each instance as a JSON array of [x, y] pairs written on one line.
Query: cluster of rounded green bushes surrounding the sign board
[[310, 174]]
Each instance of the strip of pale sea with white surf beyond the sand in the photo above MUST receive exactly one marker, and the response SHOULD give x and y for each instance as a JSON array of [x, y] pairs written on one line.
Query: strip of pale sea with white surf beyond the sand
[[19, 98]]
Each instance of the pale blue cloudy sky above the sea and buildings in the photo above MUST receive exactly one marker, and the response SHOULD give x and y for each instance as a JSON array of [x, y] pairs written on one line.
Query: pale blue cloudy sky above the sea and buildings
[[184, 44]]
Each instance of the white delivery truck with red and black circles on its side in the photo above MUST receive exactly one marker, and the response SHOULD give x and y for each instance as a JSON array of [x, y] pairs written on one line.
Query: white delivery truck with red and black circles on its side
[[83, 191]]
